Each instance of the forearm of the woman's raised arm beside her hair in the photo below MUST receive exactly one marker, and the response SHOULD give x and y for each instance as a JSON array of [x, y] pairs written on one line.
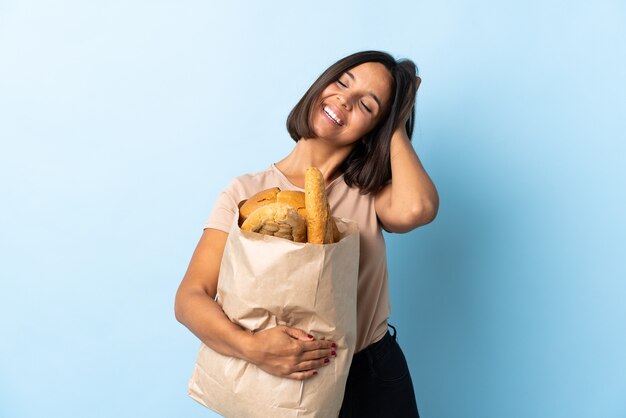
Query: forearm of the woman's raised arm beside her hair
[[412, 190]]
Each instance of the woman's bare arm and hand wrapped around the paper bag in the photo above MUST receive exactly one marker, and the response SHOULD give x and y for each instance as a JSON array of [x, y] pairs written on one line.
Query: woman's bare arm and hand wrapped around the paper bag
[[281, 351]]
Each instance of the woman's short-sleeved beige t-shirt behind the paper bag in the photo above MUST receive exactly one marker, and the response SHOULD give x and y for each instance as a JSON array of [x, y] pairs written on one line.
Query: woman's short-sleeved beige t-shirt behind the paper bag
[[373, 307]]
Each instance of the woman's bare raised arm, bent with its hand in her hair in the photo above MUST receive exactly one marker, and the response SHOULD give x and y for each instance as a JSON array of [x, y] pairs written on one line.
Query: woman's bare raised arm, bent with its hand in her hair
[[411, 199]]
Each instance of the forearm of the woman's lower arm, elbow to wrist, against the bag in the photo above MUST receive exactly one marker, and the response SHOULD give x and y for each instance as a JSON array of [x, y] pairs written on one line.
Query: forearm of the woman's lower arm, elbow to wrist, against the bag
[[206, 320]]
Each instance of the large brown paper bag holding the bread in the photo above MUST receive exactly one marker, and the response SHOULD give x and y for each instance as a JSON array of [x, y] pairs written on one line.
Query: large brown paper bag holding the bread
[[266, 281]]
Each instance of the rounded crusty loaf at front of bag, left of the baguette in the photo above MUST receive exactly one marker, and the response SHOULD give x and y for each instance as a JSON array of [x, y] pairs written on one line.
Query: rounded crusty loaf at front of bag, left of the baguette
[[277, 219]]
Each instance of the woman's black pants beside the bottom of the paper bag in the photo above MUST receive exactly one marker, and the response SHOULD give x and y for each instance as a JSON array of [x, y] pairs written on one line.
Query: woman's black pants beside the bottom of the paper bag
[[379, 383]]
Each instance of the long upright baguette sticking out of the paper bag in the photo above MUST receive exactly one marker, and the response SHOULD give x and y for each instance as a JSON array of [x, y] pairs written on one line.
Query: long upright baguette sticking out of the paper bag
[[317, 208]]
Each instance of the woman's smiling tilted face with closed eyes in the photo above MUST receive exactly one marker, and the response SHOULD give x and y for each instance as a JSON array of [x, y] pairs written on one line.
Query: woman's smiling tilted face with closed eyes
[[351, 106]]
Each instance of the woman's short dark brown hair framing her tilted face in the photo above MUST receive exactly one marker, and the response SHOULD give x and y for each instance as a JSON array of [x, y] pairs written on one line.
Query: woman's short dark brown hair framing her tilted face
[[368, 166]]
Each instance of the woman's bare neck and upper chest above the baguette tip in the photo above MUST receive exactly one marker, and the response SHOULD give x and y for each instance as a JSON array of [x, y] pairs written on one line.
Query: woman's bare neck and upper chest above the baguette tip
[[313, 153]]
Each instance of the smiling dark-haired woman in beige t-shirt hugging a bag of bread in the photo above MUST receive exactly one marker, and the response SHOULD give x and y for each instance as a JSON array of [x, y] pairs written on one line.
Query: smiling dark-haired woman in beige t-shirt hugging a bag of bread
[[354, 124]]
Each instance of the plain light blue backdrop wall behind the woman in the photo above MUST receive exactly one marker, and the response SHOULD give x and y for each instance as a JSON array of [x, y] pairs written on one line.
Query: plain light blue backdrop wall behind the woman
[[121, 121]]
